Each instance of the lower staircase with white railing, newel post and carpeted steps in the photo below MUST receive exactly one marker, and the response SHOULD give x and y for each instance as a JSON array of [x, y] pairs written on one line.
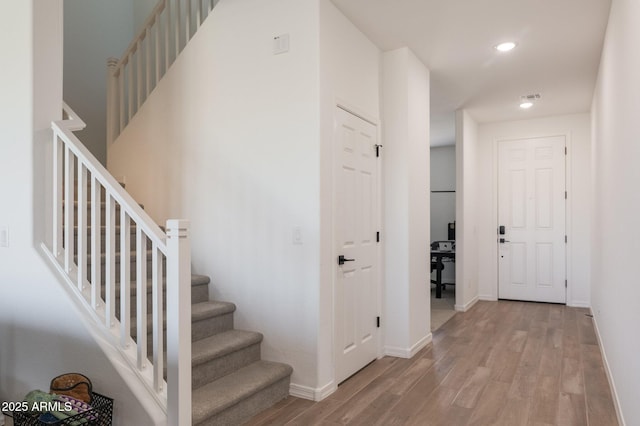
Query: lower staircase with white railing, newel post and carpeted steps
[[130, 277]]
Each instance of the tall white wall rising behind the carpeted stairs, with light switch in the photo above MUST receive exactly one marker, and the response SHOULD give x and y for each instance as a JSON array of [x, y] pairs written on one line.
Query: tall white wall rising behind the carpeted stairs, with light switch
[[230, 140]]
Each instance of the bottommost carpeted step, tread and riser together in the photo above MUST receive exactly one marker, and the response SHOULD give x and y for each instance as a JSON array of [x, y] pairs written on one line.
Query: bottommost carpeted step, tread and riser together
[[238, 396]]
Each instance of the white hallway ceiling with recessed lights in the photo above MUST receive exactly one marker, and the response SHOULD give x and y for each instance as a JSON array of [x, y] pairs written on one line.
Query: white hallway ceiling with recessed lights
[[558, 52]]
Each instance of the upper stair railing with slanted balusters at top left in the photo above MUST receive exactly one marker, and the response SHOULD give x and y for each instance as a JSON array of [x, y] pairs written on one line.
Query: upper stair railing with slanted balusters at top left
[[131, 78]]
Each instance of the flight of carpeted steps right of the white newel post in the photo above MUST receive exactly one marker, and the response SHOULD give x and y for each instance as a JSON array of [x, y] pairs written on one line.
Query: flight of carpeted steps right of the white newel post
[[230, 382]]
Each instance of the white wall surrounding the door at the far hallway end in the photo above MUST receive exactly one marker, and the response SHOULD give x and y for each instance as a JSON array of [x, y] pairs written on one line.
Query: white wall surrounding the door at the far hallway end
[[576, 128]]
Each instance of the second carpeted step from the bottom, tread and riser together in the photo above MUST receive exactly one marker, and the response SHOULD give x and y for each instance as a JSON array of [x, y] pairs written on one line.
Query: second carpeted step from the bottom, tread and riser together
[[218, 355]]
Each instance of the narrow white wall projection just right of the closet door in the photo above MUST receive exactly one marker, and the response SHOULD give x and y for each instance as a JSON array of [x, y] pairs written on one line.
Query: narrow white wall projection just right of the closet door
[[405, 88]]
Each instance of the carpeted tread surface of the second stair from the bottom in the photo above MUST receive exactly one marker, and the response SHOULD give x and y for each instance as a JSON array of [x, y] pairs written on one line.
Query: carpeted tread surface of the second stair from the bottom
[[221, 344]]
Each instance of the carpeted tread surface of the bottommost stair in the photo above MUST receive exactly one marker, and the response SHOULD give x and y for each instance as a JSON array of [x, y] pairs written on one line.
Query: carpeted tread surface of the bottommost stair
[[215, 397]]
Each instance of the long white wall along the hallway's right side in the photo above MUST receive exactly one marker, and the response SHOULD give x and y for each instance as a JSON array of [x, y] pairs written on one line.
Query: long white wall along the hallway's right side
[[616, 205]]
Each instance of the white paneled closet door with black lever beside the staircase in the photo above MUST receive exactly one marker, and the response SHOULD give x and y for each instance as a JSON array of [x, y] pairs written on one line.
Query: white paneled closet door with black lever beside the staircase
[[356, 224]]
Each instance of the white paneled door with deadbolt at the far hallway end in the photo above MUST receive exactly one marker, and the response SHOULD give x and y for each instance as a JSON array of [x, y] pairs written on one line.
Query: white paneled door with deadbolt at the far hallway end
[[531, 207]]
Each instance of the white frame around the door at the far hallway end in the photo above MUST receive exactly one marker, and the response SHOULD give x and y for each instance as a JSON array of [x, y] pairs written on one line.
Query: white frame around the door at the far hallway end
[[568, 210]]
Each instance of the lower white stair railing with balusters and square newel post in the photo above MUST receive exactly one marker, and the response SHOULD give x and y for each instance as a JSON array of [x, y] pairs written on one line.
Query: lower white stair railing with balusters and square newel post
[[124, 269]]
